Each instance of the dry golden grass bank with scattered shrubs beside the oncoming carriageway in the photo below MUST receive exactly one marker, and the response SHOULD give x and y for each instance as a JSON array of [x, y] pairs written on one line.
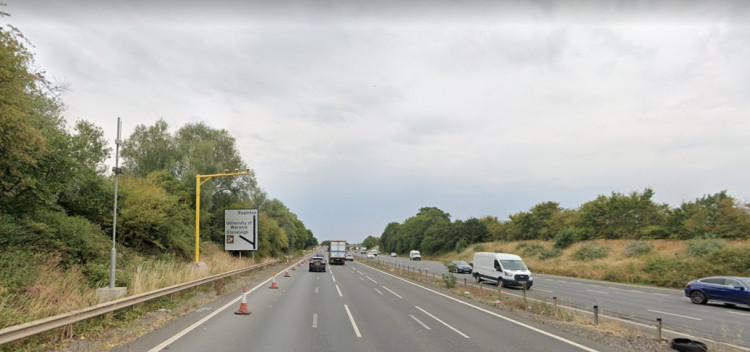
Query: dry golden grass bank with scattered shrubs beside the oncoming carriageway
[[662, 263]]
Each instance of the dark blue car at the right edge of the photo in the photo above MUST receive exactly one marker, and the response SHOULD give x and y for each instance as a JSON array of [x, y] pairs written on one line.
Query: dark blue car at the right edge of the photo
[[727, 289]]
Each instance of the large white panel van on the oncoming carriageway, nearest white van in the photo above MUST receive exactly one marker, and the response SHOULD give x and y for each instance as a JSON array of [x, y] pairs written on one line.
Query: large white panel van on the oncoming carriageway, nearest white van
[[506, 269]]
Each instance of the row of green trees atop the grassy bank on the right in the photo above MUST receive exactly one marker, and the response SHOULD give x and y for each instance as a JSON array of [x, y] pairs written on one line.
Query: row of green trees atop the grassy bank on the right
[[633, 216]]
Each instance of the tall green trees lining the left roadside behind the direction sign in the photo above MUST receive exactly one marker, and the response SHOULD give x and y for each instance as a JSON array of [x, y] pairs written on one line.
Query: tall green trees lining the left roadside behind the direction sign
[[56, 194]]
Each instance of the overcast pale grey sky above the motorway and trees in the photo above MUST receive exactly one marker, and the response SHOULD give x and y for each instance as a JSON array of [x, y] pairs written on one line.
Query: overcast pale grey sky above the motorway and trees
[[358, 113]]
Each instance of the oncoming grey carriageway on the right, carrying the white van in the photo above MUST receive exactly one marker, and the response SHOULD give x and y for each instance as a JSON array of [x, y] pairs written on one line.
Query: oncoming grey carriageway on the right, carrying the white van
[[638, 306]]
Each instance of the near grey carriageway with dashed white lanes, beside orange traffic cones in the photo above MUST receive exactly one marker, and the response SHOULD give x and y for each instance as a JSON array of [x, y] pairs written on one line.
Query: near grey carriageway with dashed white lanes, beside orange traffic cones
[[353, 307]]
